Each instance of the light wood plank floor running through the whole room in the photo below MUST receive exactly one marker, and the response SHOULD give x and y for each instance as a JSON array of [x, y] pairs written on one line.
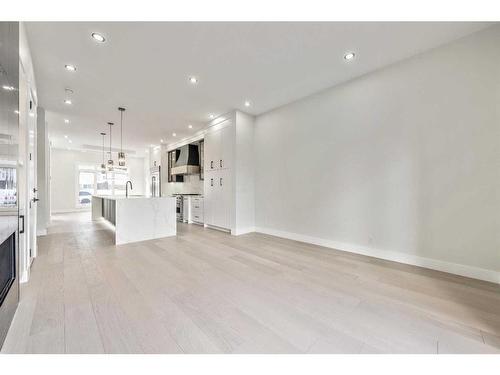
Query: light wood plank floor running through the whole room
[[208, 292]]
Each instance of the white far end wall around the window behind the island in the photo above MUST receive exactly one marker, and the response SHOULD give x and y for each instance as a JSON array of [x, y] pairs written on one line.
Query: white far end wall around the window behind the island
[[63, 176]]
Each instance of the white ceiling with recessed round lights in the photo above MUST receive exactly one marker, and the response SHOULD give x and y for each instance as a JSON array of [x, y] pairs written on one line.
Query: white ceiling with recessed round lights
[[145, 68]]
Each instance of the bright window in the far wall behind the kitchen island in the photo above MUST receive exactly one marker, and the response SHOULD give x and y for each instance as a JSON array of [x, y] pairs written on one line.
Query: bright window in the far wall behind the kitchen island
[[90, 180]]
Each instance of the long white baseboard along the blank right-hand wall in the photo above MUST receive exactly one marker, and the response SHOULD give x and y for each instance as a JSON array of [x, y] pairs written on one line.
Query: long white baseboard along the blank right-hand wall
[[415, 260]]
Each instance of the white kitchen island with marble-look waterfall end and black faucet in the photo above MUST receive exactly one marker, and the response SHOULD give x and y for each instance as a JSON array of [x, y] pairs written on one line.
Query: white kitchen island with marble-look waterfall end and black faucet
[[137, 218]]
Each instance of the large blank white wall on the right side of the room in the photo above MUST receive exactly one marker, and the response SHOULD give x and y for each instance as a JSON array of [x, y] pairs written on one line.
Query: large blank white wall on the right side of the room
[[403, 163]]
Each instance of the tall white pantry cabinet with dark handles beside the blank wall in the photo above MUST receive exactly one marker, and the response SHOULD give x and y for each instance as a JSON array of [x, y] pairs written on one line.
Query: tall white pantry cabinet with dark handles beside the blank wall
[[218, 183]]
